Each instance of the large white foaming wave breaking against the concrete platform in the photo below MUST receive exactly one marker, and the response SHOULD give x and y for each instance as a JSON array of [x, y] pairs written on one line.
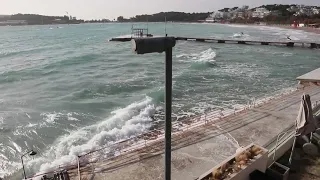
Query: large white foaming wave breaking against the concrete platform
[[123, 123]]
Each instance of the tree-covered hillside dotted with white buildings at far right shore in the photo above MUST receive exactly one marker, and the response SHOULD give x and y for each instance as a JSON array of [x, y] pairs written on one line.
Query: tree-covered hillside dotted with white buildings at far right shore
[[270, 14]]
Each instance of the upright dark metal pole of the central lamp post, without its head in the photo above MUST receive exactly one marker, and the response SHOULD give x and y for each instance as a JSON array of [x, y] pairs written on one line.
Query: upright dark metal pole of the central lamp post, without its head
[[168, 102]]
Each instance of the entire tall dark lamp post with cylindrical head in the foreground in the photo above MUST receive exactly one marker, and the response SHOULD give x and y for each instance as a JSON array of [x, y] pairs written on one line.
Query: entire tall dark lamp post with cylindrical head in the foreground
[[162, 44]]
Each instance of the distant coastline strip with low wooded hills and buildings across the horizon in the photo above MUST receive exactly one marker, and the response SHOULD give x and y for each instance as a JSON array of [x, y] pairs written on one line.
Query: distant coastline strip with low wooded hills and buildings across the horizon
[[300, 15]]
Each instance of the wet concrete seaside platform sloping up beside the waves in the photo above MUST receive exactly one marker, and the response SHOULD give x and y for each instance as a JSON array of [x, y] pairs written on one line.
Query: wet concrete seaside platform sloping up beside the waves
[[198, 150]]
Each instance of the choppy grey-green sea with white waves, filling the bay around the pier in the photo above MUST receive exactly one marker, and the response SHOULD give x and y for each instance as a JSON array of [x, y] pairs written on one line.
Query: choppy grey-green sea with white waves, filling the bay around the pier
[[66, 90]]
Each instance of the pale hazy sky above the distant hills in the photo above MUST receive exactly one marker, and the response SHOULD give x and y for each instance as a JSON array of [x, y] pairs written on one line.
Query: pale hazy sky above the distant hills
[[97, 9]]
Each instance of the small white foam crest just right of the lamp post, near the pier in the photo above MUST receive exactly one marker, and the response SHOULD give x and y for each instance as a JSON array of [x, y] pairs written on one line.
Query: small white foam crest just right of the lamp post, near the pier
[[204, 56]]
